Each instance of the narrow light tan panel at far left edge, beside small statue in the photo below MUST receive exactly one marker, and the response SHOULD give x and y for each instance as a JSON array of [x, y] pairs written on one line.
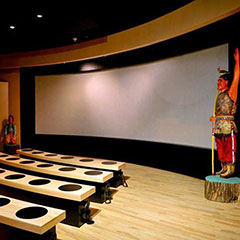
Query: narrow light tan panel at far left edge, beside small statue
[[3, 110]]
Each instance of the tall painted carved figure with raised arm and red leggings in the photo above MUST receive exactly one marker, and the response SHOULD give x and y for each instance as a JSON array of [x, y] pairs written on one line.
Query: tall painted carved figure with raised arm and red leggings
[[224, 128]]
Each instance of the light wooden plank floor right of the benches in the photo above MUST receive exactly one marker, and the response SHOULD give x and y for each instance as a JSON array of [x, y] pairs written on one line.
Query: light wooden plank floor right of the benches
[[159, 205]]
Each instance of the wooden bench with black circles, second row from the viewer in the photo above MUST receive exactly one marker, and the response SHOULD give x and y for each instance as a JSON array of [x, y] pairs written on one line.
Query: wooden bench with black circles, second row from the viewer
[[68, 196]]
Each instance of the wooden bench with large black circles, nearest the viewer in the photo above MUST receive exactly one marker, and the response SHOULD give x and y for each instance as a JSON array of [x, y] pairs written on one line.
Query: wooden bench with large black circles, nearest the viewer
[[24, 220]]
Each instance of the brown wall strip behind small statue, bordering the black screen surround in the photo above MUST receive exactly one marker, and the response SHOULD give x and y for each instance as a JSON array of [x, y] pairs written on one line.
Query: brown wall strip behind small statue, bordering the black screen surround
[[13, 79]]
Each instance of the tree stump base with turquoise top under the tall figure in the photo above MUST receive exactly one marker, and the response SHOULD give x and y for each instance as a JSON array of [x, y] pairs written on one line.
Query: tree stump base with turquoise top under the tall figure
[[222, 189]]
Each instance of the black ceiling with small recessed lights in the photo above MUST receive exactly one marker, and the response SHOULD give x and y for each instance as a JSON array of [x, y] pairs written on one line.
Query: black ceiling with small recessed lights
[[60, 23]]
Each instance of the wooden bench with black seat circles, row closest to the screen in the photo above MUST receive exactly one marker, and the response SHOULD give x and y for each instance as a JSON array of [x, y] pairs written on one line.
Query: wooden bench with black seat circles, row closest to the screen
[[95, 163]]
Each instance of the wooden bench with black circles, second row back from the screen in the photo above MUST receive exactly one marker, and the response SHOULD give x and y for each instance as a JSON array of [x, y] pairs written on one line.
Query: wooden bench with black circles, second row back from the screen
[[80, 175]]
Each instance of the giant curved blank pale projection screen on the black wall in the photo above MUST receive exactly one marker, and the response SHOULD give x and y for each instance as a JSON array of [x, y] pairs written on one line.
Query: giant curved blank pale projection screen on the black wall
[[167, 101]]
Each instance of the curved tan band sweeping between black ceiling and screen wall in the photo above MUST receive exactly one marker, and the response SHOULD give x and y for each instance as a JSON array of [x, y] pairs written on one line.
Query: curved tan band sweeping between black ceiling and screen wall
[[197, 14]]
